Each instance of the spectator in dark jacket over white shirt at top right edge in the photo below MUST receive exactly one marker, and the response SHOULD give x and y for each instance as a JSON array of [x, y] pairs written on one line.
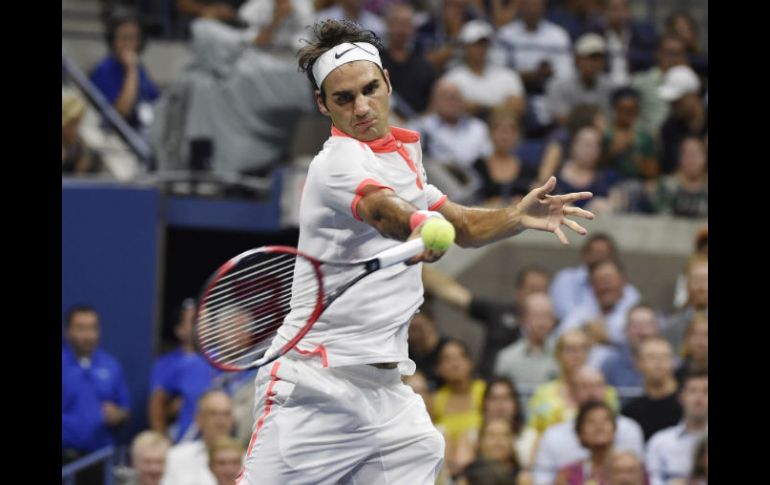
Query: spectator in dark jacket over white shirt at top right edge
[[630, 42]]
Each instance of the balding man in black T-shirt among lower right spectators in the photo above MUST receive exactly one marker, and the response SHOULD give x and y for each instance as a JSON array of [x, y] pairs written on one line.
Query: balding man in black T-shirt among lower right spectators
[[658, 407]]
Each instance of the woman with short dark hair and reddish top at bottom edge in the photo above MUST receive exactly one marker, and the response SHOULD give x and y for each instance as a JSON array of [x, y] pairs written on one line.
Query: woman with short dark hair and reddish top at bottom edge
[[596, 428]]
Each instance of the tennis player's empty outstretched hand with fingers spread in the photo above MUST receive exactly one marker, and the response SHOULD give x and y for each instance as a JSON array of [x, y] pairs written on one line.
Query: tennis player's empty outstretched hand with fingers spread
[[544, 212]]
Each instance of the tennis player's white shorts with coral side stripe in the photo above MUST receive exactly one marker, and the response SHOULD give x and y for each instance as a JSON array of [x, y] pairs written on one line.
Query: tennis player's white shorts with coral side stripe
[[357, 425]]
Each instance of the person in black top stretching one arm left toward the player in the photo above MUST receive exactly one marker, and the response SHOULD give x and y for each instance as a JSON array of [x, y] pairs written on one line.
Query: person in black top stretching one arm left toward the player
[[500, 319]]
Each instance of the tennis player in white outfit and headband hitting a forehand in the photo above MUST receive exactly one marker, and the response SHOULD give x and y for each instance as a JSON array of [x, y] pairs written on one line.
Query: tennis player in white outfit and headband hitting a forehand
[[334, 409]]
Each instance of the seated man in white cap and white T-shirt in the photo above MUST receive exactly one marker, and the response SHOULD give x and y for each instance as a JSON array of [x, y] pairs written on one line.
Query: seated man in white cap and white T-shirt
[[484, 86]]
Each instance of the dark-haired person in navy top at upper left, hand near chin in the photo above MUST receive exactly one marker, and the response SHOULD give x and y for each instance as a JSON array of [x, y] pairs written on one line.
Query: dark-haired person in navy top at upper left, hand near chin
[[121, 77]]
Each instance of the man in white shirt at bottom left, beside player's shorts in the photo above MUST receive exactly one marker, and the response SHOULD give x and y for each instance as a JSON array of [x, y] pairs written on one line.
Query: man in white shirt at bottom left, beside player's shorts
[[188, 462]]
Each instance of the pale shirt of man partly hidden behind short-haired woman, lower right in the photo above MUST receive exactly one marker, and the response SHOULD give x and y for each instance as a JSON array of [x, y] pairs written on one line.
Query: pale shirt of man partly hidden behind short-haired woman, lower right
[[560, 446]]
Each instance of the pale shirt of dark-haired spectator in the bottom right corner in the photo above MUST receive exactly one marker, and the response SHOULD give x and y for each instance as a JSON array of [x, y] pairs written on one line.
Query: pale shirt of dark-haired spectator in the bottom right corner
[[670, 453]]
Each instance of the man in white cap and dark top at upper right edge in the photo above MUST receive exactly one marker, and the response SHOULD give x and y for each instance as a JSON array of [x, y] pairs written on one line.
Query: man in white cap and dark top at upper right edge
[[688, 115]]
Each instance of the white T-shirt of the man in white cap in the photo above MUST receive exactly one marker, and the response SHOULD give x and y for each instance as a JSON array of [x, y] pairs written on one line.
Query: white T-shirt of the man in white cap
[[491, 88]]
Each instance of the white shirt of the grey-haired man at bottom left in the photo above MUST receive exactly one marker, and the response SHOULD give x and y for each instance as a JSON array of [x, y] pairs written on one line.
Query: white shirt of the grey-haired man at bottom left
[[188, 464]]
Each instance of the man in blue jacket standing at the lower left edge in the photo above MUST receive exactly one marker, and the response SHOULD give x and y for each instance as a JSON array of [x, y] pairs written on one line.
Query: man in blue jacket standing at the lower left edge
[[95, 397]]
